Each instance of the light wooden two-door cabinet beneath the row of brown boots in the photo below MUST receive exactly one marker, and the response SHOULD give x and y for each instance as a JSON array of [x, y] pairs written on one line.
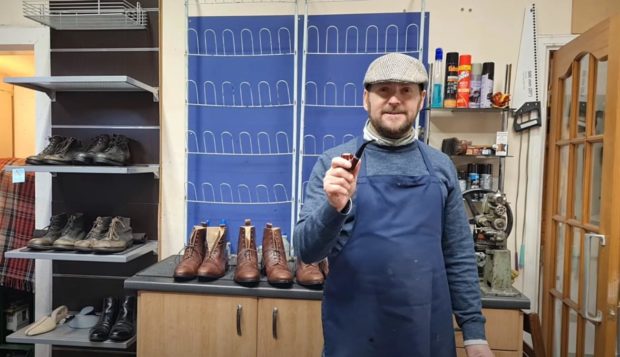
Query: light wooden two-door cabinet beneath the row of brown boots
[[175, 324]]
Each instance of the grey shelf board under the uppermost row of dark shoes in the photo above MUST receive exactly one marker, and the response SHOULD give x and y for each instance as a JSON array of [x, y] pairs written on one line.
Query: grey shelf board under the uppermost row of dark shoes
[[136, 169]]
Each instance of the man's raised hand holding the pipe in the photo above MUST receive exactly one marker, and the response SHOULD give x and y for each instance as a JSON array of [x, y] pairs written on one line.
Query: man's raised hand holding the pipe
[[339, 184]]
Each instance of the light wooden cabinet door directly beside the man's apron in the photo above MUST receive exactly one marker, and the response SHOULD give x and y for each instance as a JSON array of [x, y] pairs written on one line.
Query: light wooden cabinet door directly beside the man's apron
[[289, 327]]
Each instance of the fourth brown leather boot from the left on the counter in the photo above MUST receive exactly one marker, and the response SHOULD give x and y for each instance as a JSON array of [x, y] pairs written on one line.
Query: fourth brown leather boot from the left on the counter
[[274, 257]]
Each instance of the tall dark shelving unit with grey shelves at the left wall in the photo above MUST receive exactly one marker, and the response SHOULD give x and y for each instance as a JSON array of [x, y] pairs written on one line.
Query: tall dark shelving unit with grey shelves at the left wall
[[95, 90]]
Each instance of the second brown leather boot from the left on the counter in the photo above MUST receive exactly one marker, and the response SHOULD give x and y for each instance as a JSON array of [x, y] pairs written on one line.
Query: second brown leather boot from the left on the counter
[[215, 263]]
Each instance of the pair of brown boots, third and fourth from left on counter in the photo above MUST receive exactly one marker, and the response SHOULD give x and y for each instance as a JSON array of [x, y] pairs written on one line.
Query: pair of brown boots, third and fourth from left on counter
[[274, 256]]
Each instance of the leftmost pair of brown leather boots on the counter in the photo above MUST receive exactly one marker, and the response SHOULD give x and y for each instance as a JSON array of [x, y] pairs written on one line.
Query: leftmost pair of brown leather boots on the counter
[[205, 257]]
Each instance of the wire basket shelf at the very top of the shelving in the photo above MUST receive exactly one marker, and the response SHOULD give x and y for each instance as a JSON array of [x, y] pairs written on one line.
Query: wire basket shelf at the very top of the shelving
[[86, 14]]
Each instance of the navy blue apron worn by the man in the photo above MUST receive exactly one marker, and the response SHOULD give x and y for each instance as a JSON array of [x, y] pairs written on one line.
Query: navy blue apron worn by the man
[[387, 291]]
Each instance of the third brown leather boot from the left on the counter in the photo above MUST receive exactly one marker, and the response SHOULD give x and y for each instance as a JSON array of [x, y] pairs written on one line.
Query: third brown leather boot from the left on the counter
[[247, 258]]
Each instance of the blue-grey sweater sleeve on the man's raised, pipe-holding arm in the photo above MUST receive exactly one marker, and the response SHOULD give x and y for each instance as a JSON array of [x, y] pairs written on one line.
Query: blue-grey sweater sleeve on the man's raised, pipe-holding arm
[[319, 225]]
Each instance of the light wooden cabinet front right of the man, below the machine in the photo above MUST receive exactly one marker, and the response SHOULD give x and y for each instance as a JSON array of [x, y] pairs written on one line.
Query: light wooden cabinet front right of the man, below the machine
[[504, 331]]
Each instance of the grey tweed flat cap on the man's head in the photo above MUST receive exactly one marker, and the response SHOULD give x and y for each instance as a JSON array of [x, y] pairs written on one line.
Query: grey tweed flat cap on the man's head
[[396, 67]]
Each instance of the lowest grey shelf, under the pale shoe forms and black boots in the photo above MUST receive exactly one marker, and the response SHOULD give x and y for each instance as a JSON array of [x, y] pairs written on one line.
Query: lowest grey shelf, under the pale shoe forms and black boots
[[63, 335]]
